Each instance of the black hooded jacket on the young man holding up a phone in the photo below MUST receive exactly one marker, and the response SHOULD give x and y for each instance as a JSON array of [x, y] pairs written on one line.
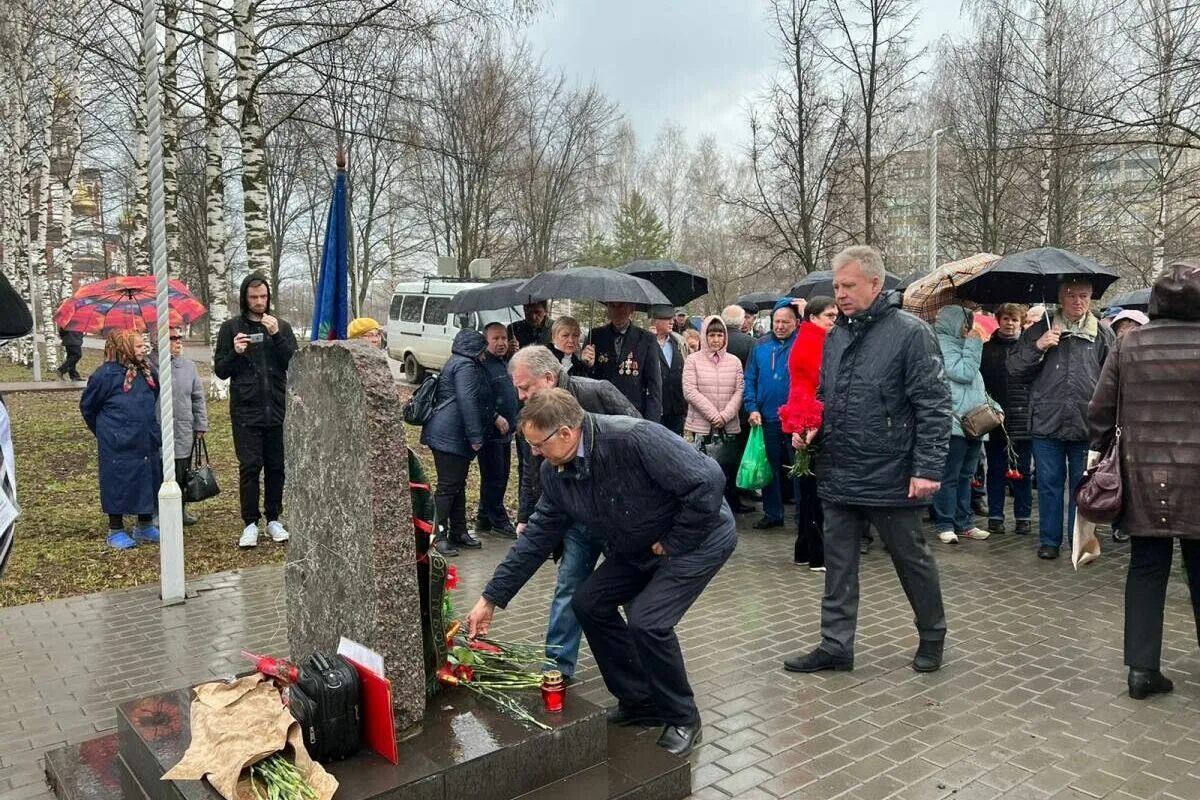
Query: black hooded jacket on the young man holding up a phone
[[259, 378]]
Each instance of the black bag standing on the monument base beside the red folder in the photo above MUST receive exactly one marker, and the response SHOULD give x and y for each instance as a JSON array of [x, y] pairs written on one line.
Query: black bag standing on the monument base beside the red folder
[[326, 703]]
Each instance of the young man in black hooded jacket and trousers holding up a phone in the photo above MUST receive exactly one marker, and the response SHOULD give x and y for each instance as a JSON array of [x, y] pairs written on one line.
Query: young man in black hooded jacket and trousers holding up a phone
[[254, 352]]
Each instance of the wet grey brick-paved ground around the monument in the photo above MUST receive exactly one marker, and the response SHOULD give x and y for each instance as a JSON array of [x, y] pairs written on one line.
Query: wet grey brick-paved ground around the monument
[[1031, 705]]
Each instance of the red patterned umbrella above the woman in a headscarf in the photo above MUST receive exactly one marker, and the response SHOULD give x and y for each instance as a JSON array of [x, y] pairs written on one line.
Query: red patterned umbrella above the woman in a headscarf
[[125, 303]]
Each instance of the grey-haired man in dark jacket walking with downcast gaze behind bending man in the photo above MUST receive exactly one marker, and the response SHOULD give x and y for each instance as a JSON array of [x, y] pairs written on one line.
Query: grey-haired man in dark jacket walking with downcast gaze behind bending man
[[881, 450]]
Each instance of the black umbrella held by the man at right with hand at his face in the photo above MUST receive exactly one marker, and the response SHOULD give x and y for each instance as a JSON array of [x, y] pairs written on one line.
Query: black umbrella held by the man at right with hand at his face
[[1034, 276]]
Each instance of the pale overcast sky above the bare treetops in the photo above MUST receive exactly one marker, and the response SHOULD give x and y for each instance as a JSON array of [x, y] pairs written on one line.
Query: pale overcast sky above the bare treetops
[[689, 62]]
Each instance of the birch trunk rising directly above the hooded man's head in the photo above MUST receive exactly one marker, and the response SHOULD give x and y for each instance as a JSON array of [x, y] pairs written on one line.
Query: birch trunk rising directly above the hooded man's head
[[254, 158]]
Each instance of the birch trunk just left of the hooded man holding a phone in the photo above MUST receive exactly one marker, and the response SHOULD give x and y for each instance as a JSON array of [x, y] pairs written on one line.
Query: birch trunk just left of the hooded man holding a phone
[[214, 191]]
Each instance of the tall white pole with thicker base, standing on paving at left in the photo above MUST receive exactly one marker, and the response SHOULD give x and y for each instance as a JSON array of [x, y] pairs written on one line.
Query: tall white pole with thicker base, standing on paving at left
[[171, 502]]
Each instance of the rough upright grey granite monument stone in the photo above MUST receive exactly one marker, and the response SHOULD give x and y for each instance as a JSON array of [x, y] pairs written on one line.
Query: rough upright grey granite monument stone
[[351, 566]]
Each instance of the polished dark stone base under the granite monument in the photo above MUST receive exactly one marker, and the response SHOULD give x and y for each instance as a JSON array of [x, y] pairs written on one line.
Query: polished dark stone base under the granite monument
[[466, 750]]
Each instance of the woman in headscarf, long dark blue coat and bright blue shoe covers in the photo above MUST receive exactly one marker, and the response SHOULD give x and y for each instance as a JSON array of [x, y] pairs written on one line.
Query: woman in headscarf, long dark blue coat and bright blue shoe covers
[[119, 407]]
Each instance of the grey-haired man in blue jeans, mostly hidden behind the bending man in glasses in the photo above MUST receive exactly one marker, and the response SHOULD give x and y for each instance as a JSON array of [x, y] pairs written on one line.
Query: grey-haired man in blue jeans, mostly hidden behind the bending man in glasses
[[535, 371]]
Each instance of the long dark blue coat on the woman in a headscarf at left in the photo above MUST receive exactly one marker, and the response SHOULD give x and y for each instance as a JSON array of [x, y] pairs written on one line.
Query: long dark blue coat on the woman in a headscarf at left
[[129, 438]]
